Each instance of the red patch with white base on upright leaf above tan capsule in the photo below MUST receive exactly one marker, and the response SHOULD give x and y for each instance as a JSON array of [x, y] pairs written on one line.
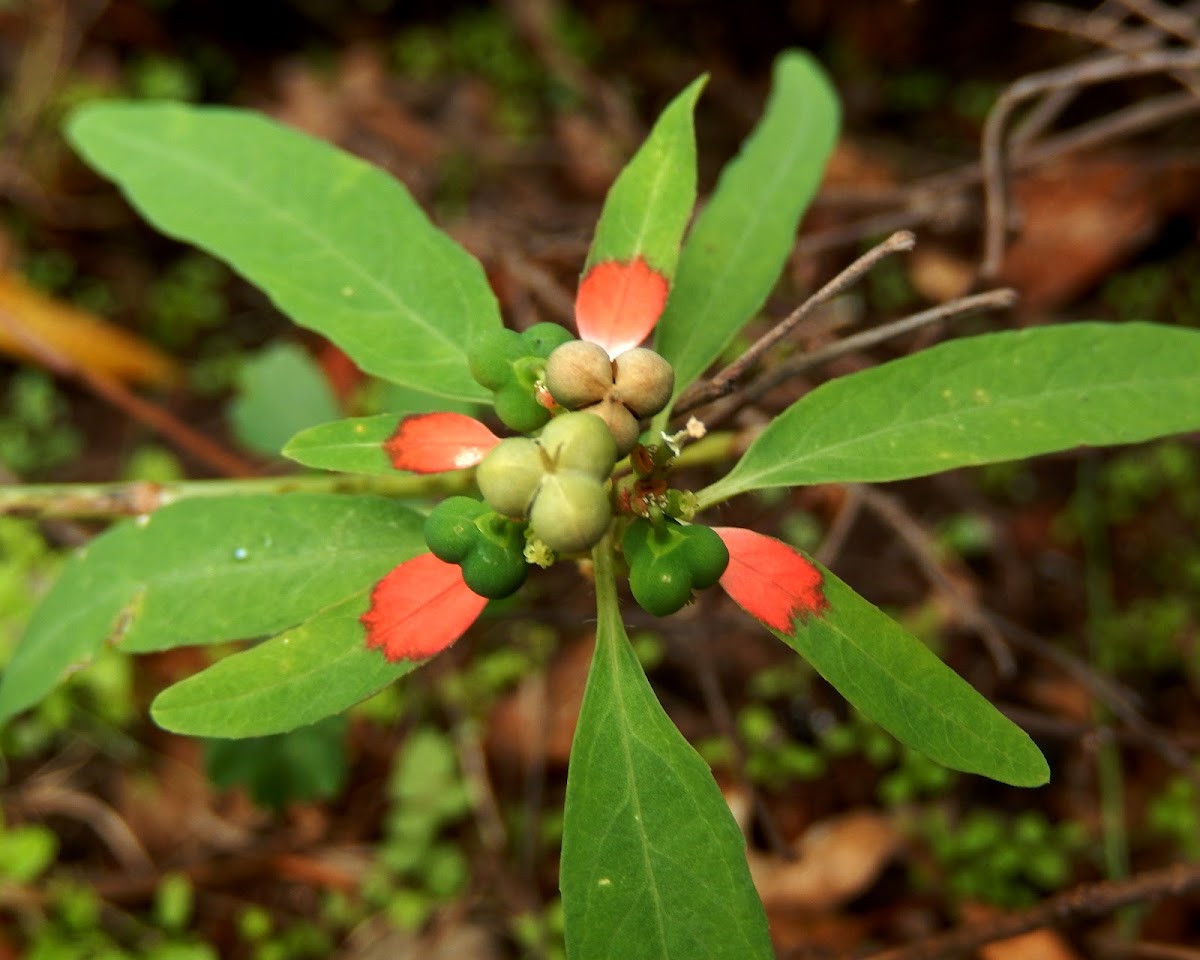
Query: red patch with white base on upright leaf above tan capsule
[[619, 304]]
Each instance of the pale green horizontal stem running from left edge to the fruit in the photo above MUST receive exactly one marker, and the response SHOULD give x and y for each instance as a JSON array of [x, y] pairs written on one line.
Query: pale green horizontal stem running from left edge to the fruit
[[118, 500]]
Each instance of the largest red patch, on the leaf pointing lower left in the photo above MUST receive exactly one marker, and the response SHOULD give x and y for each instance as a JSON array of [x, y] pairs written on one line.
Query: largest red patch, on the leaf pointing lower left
[[421, 609]]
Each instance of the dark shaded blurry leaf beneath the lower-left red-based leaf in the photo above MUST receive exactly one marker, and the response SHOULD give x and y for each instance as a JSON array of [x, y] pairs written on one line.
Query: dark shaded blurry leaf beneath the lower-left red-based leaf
[[307, 764]]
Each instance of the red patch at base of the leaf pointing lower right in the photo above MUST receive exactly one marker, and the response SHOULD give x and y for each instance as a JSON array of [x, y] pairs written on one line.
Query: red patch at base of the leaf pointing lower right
[[770, 580]]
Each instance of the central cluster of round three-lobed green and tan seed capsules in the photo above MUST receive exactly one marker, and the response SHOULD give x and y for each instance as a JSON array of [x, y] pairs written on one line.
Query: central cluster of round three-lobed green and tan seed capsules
[[550, 495]]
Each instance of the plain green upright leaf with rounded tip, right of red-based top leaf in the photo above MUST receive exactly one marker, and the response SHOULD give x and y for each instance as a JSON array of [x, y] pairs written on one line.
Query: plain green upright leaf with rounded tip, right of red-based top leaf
[[745, 235]]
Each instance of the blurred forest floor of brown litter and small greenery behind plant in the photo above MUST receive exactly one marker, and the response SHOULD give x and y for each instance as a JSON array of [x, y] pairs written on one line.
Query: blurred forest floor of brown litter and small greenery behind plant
[[1066, 590]]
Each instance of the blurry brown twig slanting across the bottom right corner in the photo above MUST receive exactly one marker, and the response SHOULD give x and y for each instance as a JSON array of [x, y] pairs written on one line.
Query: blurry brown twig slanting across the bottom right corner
[[1087, 901]]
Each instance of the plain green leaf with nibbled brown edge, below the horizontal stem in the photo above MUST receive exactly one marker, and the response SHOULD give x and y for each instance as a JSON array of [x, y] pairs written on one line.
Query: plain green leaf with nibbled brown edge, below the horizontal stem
[[207, 571]]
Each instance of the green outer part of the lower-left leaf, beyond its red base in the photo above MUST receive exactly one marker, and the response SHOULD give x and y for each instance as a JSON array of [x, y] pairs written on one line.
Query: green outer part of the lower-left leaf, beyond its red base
[[313, 671]]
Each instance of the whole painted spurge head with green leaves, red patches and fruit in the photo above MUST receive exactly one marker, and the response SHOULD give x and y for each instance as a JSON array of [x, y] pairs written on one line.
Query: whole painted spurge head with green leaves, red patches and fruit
[[347, 592]]
